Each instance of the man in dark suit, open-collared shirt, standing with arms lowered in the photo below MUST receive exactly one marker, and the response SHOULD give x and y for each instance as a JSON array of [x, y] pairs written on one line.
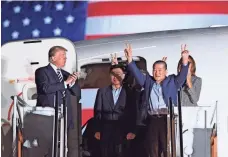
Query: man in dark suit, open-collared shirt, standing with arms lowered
[[109, 113]]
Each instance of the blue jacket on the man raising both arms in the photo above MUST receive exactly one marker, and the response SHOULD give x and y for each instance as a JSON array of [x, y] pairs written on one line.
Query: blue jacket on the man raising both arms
[[170, 86]]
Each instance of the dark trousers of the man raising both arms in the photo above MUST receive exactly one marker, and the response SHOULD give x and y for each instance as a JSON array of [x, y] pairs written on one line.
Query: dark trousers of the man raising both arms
[[156, 136]]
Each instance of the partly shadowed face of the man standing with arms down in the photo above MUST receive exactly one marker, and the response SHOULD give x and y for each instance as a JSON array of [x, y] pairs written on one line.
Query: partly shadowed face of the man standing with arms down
[[117, 76]]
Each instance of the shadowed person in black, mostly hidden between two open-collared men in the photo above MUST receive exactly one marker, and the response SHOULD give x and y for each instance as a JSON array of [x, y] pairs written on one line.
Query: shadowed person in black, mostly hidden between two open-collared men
[[133, 148]]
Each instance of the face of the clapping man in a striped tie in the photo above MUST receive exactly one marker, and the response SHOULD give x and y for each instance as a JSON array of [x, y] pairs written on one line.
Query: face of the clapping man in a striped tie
[[59, 59]]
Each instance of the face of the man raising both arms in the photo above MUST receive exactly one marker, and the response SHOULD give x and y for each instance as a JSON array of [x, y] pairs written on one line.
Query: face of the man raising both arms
[[159, 72]]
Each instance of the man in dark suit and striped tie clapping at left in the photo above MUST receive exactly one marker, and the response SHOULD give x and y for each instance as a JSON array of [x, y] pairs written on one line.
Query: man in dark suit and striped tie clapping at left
[[49, 80]]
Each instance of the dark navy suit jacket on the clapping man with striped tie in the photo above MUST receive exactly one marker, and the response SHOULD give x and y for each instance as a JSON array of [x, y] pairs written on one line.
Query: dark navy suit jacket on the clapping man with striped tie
[[47, 83]]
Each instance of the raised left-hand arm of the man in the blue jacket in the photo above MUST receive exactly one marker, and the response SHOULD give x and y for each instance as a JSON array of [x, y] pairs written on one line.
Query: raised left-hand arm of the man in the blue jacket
[[140, 78]]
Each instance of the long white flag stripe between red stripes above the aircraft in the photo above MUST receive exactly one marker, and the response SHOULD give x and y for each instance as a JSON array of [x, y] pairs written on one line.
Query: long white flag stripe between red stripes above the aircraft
[[148, 23]]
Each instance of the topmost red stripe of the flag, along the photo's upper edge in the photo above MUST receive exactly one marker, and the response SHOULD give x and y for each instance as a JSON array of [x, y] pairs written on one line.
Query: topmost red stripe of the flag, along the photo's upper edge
[[152, 7]]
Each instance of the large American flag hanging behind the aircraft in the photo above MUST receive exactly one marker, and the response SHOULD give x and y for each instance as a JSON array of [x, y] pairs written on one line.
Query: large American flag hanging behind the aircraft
[[80, 20]]
